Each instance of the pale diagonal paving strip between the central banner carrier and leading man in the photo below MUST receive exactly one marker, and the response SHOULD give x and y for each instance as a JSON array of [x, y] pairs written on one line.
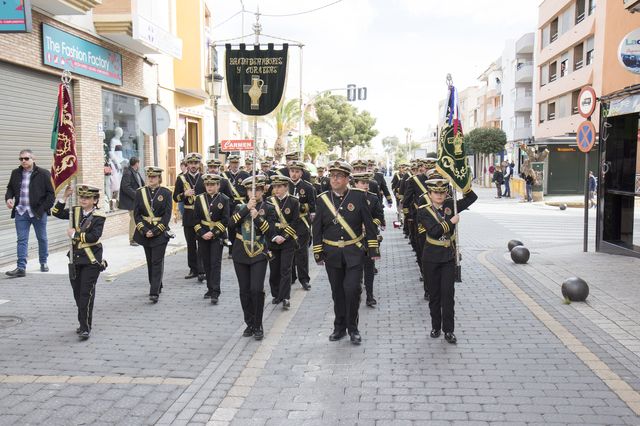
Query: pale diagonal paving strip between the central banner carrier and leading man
[[236, 396]]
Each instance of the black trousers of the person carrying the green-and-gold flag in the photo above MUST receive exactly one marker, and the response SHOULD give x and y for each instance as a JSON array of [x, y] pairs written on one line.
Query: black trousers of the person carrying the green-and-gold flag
[[440, 283]]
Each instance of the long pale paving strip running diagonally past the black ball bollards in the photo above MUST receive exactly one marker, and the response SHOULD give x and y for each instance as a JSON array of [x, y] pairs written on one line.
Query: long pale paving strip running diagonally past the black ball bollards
[[620, 387]]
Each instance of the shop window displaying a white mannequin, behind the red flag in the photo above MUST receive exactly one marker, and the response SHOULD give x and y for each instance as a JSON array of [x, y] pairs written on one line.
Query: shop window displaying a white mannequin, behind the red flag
[[122, 139]]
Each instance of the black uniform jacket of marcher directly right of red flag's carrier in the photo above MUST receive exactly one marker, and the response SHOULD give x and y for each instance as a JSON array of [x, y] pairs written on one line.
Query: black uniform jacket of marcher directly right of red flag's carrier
[[152, 212]]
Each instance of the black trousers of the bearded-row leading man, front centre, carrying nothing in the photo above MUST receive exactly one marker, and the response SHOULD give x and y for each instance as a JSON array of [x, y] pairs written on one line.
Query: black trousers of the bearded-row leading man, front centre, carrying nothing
[[345, 291]]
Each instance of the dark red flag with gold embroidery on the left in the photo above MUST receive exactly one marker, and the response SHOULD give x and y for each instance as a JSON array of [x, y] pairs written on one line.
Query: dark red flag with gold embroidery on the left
[[63, 141]]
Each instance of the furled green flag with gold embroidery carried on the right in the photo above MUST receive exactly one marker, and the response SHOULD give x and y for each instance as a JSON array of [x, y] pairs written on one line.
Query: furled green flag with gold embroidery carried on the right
[[452, 159]]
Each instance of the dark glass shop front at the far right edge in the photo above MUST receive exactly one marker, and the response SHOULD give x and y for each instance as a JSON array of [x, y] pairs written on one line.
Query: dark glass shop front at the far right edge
[[618, 225]]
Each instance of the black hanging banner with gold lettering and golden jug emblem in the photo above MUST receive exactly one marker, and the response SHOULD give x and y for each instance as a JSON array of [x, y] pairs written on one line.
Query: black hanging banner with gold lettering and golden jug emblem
[[256, 78]]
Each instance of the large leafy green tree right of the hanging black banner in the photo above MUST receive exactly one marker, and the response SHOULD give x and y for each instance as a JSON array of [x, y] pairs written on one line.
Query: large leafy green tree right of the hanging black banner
[[340, 124]]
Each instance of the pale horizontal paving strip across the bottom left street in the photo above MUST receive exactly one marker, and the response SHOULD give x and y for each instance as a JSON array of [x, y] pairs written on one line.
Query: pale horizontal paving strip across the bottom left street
[[109, 380]]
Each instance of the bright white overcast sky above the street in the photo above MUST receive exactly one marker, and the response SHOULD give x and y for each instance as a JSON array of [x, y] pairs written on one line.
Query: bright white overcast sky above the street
[[400, 50]]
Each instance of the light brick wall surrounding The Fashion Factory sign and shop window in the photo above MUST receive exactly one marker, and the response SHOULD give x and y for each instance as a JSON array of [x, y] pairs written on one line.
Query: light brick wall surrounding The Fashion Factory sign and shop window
[[25, 49]]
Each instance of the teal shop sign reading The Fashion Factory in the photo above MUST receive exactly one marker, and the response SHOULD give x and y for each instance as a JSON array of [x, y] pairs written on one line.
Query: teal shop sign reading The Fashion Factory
[[66, 51]]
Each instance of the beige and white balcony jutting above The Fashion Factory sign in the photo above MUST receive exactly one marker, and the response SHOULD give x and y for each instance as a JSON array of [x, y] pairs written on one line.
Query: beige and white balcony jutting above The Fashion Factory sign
[[122, 22]]
